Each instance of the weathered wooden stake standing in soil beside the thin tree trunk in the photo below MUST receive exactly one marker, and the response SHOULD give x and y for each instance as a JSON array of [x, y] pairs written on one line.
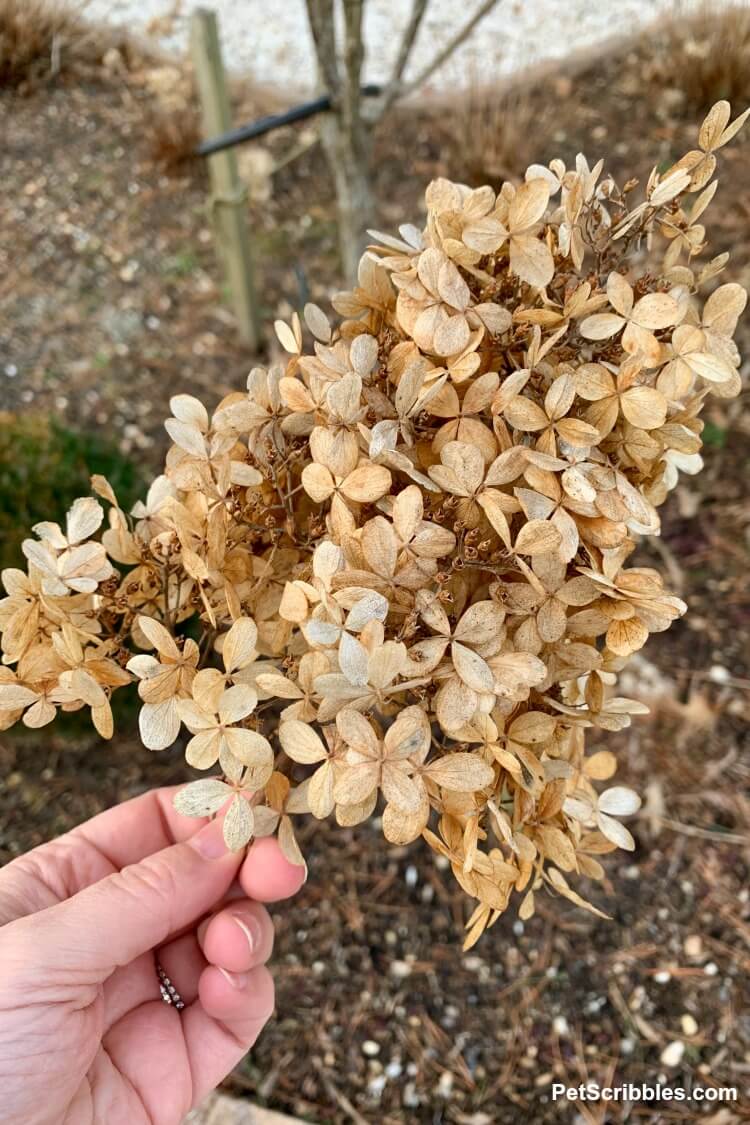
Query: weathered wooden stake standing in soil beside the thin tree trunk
[[229, 196]]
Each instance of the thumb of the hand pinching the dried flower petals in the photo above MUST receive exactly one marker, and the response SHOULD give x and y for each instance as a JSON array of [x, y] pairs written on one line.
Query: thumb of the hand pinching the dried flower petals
[[113, 922]]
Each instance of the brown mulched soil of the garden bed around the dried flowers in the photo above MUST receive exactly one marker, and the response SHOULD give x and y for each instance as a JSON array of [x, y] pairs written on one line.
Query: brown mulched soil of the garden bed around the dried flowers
[[111, 302]]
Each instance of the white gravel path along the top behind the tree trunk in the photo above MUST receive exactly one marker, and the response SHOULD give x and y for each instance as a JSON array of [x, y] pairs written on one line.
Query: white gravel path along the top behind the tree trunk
[[270, 39]]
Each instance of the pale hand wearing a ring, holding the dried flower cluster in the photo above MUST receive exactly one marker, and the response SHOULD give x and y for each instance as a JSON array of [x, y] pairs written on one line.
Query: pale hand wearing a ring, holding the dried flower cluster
[[85, 1036]]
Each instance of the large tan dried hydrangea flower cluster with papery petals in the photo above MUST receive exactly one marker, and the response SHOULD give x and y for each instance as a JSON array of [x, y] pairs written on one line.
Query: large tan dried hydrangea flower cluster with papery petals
[[397, 564]]
